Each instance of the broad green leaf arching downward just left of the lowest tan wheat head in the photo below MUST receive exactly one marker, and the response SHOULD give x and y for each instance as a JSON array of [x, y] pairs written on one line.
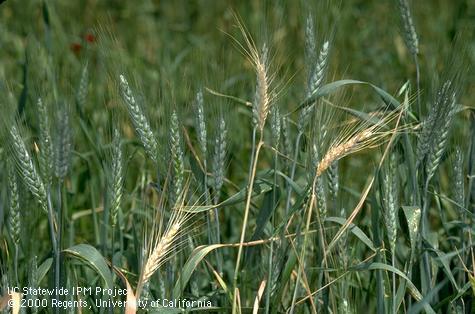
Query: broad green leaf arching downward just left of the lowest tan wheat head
[[91, 257]]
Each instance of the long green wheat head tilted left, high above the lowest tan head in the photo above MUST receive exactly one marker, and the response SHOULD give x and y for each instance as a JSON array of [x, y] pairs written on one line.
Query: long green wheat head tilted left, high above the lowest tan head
[[139, 121]]
